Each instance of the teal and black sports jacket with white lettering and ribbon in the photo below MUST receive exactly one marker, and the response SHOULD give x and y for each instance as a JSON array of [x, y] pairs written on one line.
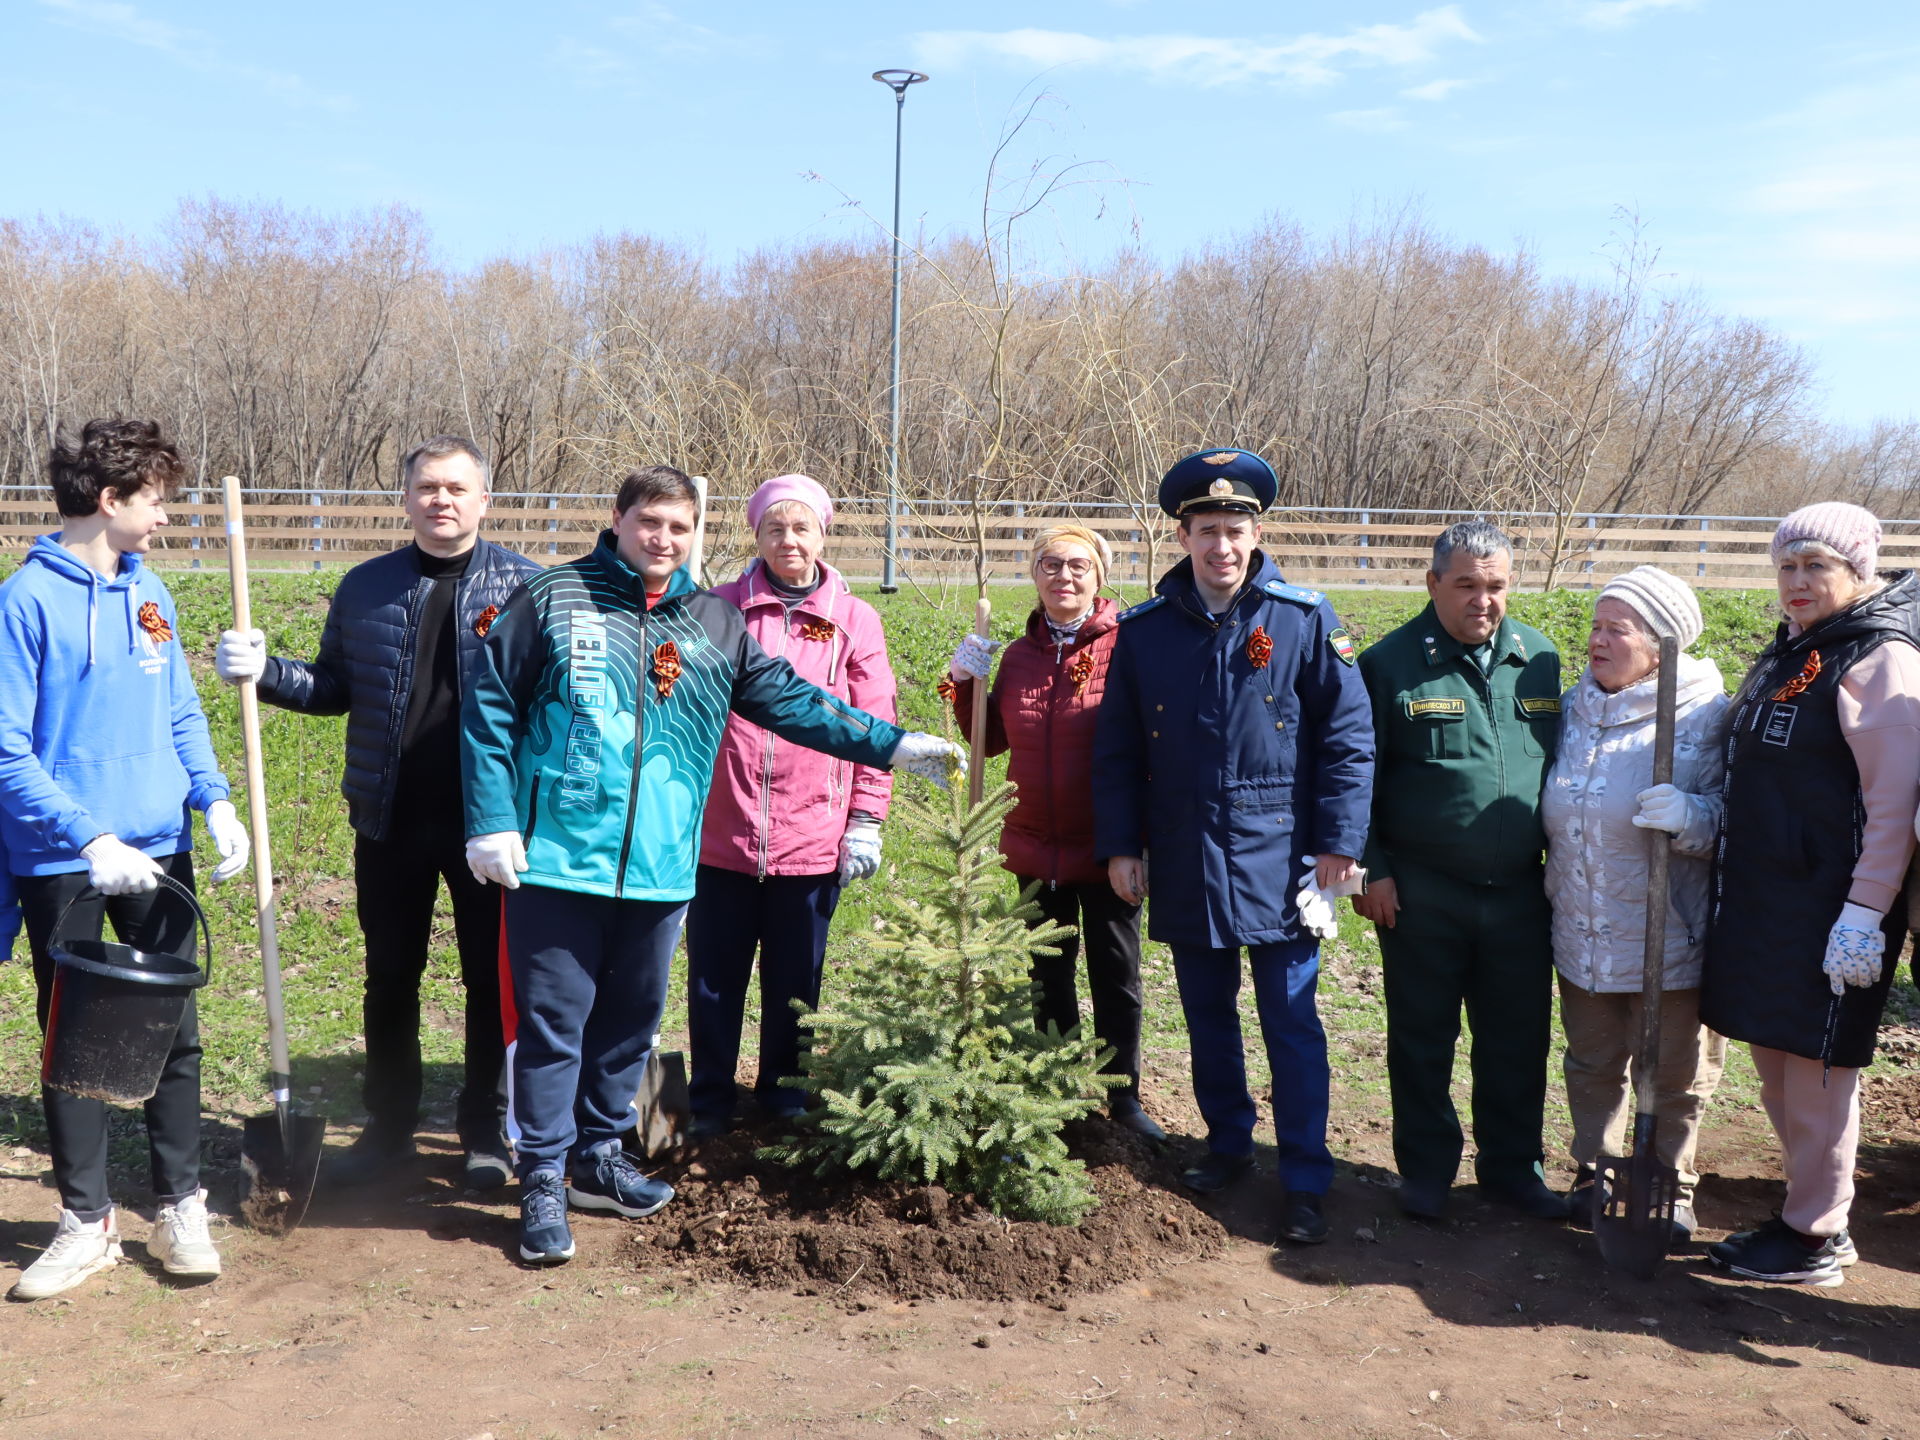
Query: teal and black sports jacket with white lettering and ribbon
[[592, 725]]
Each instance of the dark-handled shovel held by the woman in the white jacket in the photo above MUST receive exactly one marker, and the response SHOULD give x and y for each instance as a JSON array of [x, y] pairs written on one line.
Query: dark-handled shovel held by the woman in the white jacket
[[1635, 1199]]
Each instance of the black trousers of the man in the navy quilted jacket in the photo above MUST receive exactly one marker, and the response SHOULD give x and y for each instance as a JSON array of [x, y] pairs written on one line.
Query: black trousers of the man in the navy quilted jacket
[[398, 882]]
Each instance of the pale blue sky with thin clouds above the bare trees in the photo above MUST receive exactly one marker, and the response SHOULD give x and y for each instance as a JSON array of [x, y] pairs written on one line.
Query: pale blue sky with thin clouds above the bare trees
[[1769, 147]]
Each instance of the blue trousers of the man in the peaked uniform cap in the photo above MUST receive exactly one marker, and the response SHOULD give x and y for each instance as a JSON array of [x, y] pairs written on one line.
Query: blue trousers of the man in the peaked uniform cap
[[1285, 978]]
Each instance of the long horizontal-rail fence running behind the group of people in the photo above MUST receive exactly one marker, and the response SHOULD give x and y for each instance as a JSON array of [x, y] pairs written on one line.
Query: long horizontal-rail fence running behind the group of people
[[1324, 546]]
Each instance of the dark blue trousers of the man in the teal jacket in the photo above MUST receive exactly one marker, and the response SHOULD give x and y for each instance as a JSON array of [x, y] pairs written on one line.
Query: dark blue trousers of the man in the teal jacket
[[588, 994]]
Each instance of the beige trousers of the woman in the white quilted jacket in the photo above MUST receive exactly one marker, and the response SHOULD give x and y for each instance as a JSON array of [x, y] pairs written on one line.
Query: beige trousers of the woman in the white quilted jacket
[[1602, 1032]]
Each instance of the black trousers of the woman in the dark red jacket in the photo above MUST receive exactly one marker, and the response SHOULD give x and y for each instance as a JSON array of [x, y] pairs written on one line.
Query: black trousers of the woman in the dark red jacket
[[1111, 936]]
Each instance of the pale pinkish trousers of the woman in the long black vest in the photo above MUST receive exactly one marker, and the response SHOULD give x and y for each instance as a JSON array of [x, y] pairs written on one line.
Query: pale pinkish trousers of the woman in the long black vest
[[1817, 1116]]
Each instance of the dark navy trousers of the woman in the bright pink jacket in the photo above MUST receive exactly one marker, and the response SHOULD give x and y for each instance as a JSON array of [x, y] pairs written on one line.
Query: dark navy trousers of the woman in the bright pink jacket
[[734, 915]]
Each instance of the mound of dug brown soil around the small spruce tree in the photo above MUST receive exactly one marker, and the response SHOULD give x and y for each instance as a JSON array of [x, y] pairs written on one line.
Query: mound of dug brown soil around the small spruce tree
[[748, 1220]]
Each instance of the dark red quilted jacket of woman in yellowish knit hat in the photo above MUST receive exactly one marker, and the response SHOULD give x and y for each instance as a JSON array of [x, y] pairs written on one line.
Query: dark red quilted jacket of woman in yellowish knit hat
[[1044, 708]]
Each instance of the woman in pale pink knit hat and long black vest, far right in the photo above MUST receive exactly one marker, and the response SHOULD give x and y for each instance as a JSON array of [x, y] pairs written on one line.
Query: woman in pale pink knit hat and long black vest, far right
[[1823, 779]]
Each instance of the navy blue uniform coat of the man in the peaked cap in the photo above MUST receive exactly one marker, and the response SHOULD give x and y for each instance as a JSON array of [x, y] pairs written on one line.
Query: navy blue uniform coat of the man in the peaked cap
[[1228, 773]]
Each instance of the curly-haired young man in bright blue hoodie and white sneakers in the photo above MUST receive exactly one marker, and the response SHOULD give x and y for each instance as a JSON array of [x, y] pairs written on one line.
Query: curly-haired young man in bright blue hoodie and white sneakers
[[105, 754]]
